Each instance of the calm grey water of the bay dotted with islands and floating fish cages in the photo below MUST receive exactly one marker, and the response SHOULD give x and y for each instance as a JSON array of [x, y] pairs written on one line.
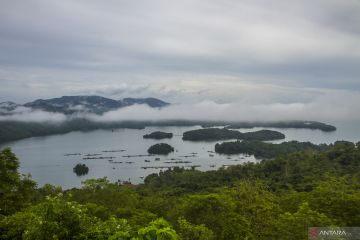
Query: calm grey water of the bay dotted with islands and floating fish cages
[[43, 157]]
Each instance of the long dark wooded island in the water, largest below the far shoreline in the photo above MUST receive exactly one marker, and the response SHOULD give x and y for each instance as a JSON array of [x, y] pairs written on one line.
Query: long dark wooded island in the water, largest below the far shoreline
[[214, 134]]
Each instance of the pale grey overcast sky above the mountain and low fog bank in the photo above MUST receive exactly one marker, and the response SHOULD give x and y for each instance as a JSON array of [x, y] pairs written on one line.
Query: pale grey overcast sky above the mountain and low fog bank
[[188, 51]]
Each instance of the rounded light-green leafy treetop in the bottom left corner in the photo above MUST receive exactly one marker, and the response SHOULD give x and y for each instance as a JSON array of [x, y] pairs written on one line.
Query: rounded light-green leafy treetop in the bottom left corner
[[51, 219]]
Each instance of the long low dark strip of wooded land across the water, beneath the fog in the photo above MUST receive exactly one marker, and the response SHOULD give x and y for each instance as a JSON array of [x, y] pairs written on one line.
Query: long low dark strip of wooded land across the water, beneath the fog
[[15, 130]]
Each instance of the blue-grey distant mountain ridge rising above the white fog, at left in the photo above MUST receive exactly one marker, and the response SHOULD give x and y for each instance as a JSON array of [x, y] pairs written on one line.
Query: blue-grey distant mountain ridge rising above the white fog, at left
[[81, 104]]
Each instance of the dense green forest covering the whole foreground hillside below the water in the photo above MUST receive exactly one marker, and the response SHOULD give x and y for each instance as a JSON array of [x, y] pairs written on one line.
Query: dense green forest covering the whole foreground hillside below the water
[[274, 199]]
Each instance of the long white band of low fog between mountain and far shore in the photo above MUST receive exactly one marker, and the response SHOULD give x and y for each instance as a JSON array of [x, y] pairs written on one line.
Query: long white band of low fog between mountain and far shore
[[329, 107]]
